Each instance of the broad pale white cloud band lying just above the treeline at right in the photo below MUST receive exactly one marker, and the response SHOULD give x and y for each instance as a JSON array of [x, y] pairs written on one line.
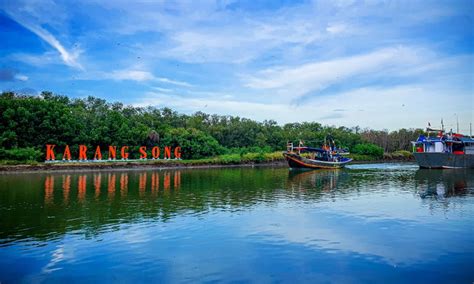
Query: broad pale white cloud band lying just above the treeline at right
[[377, 108]]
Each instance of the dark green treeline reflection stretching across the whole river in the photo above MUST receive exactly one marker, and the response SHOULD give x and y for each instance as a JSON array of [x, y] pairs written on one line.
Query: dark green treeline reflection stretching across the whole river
[[46, 206]]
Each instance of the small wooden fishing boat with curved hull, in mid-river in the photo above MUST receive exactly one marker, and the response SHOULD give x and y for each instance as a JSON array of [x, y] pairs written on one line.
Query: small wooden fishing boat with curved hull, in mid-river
[[327, 157]]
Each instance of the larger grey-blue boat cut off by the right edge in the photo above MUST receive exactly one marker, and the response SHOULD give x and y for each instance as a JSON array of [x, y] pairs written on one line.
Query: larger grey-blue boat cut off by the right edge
[[444, 150]]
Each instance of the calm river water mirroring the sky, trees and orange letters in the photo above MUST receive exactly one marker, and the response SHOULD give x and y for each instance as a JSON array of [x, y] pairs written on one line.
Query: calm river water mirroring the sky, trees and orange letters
[[368, 223]]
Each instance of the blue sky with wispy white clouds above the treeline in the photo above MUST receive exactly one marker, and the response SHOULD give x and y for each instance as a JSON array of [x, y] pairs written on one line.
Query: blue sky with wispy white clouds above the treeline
[[378, 64]]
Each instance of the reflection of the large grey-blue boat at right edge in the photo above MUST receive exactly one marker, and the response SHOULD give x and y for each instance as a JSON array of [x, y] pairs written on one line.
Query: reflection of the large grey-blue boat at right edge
[[444, 183]]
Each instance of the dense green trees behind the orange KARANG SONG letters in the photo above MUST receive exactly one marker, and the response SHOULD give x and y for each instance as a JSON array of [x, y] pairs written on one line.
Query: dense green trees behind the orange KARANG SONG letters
[[28, 123]]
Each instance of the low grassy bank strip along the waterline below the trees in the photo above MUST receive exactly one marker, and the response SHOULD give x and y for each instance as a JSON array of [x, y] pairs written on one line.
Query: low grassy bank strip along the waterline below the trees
[[249, 159]]
